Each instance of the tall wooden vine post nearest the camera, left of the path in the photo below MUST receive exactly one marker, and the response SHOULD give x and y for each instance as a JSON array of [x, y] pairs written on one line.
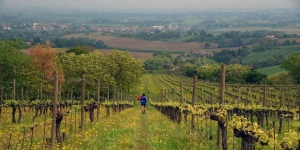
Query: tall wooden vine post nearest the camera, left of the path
[[54, 110]]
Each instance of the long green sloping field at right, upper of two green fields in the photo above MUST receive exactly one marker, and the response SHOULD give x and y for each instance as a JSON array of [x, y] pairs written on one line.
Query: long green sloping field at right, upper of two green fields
[[285, 50]]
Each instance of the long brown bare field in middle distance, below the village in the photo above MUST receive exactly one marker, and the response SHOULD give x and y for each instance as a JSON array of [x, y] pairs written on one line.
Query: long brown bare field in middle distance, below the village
[[135, 44]]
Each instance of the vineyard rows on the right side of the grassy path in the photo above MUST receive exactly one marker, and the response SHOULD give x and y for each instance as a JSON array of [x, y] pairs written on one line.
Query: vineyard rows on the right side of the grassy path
[[267, 114]]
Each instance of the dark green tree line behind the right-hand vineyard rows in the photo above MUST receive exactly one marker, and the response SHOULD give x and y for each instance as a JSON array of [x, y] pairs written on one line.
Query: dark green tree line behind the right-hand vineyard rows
[[208, 69]]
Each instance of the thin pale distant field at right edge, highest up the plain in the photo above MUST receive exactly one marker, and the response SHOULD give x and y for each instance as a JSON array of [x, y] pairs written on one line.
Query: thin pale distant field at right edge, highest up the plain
[[253, 28]]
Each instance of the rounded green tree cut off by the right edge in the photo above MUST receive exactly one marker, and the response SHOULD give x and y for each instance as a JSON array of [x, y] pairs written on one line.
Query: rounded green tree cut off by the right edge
[[292, 65]]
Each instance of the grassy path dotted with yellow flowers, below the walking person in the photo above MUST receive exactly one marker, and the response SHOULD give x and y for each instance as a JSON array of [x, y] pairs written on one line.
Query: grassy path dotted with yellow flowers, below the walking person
[[132, 130]]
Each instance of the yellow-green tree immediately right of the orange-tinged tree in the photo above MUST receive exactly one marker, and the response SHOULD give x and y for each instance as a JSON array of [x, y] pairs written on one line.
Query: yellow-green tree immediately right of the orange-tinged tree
[[91, 64]]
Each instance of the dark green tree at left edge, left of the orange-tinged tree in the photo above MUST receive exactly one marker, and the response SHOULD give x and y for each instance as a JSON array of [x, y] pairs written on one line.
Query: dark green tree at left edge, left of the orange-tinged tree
[[15, 65]]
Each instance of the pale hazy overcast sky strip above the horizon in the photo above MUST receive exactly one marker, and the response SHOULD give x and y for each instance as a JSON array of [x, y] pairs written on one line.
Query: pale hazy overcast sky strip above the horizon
[[154, 4]]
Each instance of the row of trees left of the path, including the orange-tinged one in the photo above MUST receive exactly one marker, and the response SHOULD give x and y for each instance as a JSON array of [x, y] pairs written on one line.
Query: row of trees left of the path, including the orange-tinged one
[[118, 68]]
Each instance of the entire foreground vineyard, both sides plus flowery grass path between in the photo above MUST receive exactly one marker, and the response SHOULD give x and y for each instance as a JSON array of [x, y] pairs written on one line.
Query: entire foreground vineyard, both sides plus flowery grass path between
[[196, 115]]
